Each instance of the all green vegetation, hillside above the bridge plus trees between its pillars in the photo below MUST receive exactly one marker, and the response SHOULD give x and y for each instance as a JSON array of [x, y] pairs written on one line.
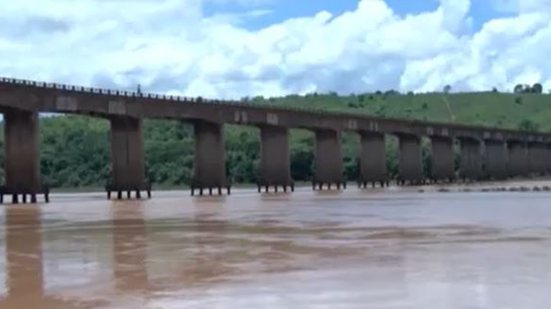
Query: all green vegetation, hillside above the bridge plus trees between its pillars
[[75, 149]]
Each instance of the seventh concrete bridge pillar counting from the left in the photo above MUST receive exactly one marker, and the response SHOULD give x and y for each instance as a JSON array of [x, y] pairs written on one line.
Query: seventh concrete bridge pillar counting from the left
[[410, 160]]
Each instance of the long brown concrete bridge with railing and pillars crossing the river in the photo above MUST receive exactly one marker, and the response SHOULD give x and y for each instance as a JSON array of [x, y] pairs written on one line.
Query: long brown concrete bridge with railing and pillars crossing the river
[[484, 152]]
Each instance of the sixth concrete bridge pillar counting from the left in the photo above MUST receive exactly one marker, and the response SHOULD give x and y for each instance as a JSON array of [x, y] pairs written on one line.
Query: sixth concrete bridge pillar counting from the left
[[373, 167]]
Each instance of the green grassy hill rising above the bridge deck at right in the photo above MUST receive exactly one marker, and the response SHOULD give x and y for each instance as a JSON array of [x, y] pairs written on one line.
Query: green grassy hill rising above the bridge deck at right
[[504, 110]]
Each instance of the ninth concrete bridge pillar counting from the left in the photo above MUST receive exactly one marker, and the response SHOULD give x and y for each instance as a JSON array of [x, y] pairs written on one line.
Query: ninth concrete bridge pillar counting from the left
[[471, 159]]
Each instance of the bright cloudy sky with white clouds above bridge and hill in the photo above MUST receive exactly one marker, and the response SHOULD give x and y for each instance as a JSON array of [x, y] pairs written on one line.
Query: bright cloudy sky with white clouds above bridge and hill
[[236, 48]]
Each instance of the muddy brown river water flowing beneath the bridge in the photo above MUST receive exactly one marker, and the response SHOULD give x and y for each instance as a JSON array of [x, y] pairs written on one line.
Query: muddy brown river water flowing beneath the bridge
[[375, 249]]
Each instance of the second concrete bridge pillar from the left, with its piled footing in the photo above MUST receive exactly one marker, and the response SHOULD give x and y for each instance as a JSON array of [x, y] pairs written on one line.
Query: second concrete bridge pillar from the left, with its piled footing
[[127, 158]]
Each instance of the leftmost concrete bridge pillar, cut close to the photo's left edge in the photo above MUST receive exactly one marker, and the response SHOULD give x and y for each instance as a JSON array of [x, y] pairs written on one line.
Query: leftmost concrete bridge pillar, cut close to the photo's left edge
[[22, 157]]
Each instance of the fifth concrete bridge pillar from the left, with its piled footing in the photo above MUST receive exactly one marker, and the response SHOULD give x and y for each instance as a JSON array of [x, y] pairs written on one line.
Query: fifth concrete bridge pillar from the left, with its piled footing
[[328, 160]]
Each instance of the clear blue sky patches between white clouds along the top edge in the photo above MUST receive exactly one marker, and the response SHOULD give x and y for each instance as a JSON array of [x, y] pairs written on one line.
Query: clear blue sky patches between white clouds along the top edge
[[279, 10]]
